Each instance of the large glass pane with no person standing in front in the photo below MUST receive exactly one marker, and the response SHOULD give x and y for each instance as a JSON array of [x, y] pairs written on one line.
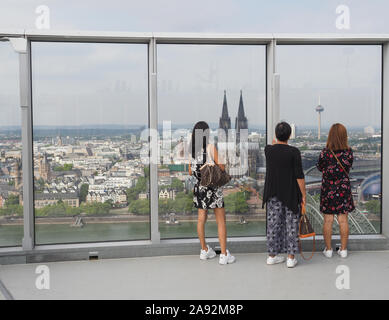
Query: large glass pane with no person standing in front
[[90, 104]]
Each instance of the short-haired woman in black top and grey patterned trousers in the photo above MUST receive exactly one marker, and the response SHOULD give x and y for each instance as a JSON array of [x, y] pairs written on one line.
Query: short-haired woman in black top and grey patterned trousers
[[283, 194]]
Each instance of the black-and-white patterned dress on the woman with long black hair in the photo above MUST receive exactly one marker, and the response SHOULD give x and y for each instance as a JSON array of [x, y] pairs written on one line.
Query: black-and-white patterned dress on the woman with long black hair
[[205, 197]]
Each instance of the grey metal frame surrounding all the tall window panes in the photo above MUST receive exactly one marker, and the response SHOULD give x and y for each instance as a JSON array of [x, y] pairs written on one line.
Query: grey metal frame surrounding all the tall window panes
[[153, 39]]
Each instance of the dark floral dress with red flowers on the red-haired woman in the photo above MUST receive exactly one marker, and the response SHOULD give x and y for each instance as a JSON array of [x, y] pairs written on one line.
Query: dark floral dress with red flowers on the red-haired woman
[[336, 196]]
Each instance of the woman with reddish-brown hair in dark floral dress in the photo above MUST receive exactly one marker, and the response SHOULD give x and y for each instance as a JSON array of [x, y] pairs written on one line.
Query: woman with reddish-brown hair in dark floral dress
[[335, 162]]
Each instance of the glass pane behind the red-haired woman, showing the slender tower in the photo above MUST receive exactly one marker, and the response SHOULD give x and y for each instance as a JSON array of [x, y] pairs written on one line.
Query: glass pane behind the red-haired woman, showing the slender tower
[[345, 80]]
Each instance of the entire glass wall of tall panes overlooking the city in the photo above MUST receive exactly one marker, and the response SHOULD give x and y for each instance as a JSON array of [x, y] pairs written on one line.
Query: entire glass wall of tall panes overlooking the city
[[91, 112]]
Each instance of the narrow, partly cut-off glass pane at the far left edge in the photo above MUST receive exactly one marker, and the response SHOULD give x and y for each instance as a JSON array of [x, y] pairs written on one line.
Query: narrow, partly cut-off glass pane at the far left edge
[[11, 208]]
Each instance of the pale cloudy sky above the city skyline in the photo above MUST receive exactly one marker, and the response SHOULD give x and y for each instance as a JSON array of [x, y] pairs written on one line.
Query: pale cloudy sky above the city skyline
[[77, 84]]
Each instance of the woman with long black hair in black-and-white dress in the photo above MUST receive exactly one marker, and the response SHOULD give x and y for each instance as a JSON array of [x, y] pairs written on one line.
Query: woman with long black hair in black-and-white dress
[[205, 198]]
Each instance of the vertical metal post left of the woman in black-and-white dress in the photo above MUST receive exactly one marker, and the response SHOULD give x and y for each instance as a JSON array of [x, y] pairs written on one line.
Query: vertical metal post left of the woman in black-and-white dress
[[153, 121]]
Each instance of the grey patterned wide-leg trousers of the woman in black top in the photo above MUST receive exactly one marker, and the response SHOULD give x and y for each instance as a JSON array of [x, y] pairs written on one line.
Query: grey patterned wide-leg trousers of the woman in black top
[[282, 228]]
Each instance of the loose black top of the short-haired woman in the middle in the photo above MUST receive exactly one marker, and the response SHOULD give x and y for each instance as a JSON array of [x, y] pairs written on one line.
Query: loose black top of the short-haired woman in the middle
[[283, 168]]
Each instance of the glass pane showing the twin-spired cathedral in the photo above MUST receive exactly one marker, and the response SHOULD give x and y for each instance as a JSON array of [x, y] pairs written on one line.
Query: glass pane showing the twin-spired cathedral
[[223, 85]]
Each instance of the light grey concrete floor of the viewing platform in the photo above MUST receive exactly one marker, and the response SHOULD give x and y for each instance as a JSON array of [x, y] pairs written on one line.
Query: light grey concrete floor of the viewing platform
[[186, 277]]
